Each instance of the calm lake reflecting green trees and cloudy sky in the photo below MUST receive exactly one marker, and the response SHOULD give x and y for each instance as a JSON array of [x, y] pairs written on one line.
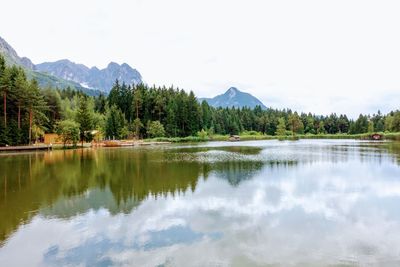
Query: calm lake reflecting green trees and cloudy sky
[[258, 203]]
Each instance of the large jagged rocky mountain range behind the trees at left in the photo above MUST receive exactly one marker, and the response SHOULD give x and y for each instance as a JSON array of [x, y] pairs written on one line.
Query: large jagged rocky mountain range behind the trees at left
[[64, 73]]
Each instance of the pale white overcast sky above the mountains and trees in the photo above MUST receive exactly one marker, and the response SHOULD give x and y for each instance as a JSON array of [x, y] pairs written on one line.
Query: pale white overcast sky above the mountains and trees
[[314, 56]]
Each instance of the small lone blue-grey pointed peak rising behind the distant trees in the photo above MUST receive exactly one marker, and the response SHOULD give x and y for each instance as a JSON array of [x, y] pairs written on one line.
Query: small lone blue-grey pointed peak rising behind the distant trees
[[234, 98]]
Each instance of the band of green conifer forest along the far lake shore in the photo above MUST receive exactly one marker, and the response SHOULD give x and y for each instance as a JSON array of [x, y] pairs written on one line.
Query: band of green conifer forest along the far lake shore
[[142, 111]]
